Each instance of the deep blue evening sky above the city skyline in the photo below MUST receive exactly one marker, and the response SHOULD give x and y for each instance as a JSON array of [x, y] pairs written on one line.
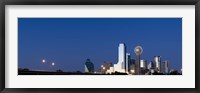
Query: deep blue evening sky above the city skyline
[[70, 41]]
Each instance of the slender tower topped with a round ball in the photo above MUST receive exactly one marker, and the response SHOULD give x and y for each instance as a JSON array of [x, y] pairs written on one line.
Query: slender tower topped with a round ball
[[138, 51]]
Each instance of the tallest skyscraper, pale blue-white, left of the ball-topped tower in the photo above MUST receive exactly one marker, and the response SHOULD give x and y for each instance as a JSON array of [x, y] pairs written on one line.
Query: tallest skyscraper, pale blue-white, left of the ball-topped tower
[[120, 66]]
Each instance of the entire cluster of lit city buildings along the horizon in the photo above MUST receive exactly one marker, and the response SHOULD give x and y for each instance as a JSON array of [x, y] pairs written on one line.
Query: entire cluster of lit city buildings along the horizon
[[130, 66]]
